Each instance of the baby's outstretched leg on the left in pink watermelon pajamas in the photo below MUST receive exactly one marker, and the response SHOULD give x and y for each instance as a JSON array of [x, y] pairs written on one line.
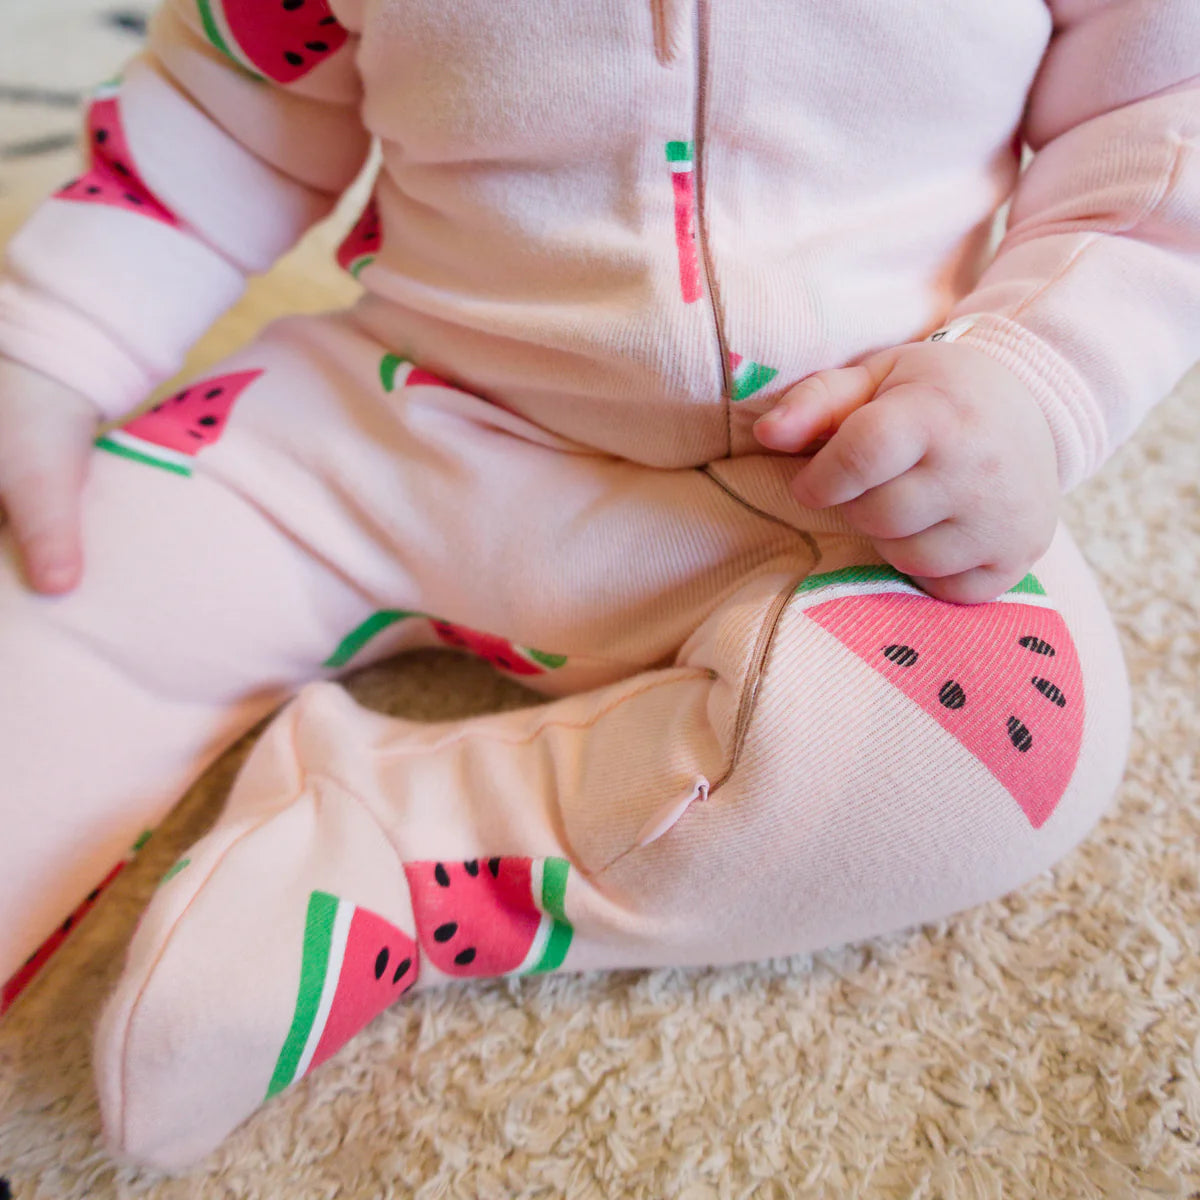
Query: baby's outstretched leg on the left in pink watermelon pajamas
[[313, 505]]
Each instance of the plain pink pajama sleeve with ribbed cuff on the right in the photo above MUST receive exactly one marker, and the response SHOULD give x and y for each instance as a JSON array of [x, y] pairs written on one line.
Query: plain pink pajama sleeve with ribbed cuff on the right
[[1094, 297]]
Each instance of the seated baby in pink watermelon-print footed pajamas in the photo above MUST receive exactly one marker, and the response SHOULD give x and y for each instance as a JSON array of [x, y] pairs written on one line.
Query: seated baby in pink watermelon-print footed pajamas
[[681, 389]]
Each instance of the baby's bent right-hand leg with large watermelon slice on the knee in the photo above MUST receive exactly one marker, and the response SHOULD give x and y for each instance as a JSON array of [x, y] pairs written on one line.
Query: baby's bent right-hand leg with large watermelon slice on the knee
[[832, 755]]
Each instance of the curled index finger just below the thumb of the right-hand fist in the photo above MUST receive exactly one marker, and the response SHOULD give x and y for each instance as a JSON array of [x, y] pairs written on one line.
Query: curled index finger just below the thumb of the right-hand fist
[[874, 446]]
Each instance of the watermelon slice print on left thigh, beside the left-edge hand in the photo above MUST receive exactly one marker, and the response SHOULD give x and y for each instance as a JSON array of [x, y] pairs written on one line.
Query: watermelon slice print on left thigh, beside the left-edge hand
[[176, 431]]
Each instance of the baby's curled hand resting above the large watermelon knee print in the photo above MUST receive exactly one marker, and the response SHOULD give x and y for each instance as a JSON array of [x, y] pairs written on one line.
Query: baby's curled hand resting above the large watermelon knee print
[[937, 453]]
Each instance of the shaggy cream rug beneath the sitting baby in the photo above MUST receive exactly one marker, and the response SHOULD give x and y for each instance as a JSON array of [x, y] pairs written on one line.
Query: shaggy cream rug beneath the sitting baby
[[1045, 1046]]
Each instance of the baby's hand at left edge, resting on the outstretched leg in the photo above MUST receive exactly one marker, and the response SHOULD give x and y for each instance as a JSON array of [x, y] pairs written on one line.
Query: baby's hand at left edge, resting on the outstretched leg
[[46, 436]]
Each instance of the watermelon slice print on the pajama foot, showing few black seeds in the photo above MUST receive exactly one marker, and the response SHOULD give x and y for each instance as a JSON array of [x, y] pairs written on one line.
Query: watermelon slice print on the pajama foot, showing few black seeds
[[356, 964]]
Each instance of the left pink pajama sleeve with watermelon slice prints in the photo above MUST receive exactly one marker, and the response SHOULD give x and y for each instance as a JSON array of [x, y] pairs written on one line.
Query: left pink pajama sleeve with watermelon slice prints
[[235, 131]]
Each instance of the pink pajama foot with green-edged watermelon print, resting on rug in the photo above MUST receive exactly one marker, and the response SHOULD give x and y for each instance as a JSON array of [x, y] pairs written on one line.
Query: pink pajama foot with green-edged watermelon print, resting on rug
[[280, 935]]
